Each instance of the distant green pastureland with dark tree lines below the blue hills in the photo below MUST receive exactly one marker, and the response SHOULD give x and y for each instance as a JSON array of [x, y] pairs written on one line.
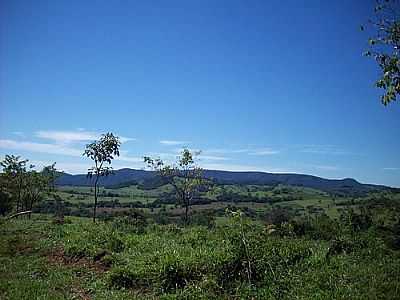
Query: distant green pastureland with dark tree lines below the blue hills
[[259, 200]]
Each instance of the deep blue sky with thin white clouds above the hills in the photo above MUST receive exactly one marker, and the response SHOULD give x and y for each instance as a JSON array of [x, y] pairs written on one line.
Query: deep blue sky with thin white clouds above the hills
[[278, 86]]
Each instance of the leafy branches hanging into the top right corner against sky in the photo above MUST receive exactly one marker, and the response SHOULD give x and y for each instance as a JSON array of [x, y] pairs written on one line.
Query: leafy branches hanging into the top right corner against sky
[[384, 47]]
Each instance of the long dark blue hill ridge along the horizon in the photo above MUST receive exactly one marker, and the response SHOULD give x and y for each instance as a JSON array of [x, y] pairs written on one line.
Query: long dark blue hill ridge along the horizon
[[149, 179]]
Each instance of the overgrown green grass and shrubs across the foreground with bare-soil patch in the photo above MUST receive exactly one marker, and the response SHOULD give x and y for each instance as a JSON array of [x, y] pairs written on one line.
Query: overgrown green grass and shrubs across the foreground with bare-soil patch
[[237, 260]]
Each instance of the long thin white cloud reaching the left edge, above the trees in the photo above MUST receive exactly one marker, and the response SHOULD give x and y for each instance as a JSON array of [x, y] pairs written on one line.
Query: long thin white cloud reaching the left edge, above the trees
[[40, 147]]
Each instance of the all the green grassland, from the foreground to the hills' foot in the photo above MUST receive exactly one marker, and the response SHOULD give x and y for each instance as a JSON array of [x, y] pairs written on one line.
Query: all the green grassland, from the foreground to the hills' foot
[[276, 243]]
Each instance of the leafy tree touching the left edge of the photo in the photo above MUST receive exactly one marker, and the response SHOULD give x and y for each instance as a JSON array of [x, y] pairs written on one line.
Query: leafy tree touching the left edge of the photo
[[14, 172]]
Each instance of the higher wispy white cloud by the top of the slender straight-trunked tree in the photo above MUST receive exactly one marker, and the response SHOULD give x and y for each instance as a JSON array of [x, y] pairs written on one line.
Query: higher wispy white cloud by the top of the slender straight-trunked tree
[[67, 137]]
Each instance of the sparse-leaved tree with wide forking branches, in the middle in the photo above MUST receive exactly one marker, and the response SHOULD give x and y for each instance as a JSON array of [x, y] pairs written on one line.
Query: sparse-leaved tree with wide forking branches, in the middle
[[185, 176]]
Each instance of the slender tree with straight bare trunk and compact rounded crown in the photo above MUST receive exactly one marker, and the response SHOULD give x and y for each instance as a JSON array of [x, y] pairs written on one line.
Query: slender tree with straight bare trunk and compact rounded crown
[[102, 152]]
